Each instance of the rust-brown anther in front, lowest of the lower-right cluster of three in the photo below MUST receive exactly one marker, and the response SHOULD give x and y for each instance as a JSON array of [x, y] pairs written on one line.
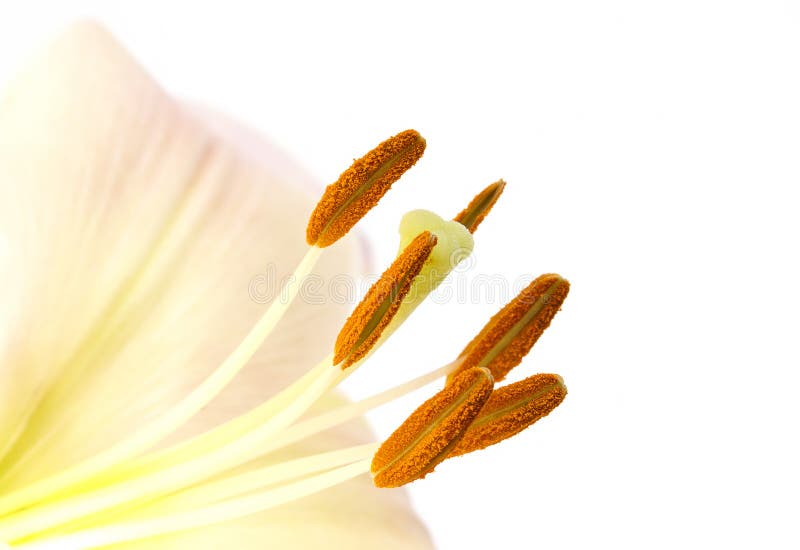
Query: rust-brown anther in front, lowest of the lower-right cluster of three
[[431, 433]]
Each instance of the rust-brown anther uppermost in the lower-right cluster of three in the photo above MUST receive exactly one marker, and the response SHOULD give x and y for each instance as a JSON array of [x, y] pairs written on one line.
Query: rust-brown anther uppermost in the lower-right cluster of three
[[511, 333]]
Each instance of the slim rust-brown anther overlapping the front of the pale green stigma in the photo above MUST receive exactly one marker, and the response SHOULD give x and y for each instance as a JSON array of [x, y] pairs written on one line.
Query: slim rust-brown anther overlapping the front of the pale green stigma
[[365, 325]]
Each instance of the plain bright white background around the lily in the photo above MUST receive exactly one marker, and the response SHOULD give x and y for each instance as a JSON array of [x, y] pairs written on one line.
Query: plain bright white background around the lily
[[651, 151]]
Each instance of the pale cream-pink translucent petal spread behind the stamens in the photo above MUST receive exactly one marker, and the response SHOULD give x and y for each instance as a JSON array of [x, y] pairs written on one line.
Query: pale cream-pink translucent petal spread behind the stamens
[[130, 235]]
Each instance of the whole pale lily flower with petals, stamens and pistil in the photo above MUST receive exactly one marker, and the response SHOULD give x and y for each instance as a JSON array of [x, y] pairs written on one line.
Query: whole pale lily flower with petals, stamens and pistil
[[146, 399]]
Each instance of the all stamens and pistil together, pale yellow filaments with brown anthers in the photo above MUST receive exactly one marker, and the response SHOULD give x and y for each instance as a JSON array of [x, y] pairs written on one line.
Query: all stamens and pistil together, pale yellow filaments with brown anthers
[[129, 492]]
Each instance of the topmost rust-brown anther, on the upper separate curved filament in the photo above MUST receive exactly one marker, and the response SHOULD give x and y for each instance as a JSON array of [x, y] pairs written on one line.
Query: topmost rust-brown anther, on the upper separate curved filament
[[361, 186]]
